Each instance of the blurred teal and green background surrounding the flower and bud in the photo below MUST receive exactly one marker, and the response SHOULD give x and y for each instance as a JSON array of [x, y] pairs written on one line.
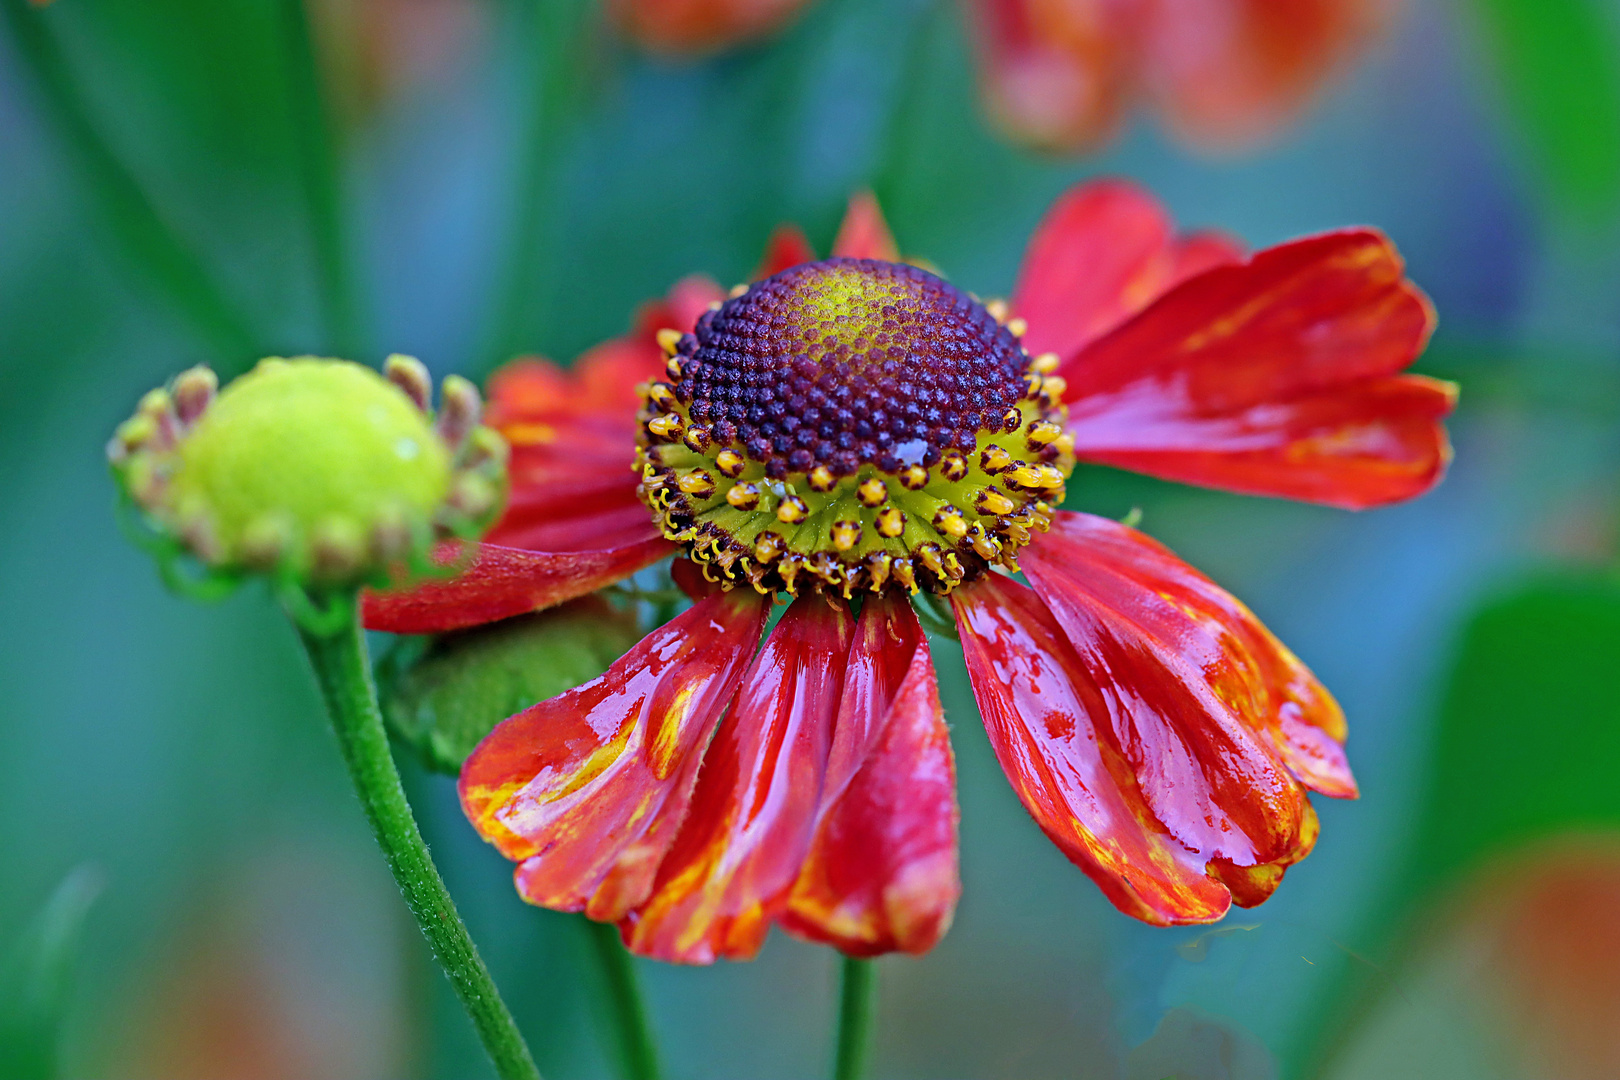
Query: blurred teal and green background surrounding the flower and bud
[[187, 887]]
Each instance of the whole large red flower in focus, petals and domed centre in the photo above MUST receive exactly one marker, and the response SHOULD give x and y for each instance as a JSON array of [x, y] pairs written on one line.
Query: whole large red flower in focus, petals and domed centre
[[707, 788]]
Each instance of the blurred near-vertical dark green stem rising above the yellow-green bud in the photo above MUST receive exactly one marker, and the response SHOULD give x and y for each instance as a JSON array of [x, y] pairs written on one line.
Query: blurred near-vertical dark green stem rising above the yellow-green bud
[[315, 138]]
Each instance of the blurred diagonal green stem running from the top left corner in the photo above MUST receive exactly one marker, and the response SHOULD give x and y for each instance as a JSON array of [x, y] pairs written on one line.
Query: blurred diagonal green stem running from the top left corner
[[127, 210]]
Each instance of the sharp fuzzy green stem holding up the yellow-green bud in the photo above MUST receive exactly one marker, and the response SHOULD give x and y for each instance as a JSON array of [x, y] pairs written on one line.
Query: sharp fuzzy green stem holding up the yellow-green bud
[[346, 682]]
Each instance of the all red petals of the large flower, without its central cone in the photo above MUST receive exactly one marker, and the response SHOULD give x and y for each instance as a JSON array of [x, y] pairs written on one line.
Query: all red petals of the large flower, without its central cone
[[707, 788]]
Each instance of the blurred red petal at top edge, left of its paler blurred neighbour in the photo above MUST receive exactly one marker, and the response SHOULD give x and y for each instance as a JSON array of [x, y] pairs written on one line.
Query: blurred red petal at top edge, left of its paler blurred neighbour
[[1057, 75]]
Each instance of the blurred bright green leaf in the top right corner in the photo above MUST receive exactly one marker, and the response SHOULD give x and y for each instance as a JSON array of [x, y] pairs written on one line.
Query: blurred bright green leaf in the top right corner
[[1559, 66]]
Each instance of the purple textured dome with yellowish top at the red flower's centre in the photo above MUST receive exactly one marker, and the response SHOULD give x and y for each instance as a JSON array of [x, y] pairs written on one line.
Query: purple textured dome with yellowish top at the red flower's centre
[[851, 362]]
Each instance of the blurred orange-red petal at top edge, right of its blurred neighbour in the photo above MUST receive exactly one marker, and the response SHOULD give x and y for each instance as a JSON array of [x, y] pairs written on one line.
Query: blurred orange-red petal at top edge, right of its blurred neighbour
[[1232, 72]]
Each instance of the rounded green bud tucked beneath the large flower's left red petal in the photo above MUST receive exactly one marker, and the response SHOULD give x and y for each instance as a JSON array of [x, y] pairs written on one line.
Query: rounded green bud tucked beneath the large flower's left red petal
[[445, 695]]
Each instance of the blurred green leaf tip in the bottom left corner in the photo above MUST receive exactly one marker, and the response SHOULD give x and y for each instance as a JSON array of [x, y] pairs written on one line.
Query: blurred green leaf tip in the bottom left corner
[[38, 976]]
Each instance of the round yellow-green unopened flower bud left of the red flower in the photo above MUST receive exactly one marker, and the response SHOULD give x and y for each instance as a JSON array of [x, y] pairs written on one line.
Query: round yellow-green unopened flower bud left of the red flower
[[317, 472]]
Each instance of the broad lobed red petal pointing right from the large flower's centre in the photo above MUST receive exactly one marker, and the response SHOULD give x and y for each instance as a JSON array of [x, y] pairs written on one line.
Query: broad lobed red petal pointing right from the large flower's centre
[[1274, 378]]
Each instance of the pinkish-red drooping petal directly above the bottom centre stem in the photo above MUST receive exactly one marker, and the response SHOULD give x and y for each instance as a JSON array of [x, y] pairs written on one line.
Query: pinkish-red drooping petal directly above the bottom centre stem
[[882, 874]]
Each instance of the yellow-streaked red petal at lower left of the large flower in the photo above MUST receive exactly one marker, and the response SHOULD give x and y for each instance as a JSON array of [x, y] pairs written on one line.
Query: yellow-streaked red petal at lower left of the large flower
[[594, 783]]
